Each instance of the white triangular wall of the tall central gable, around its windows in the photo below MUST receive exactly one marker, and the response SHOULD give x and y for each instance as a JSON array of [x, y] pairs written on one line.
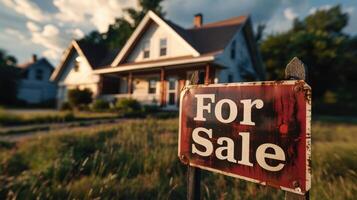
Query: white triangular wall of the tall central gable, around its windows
[[152, 35]]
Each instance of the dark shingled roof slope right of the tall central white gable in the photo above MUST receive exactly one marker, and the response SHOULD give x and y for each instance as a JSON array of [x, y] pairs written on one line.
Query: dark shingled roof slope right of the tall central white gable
[[211, 37]]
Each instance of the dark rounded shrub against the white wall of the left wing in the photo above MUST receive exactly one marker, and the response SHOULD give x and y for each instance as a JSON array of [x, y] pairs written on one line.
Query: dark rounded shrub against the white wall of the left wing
[[78, 97]]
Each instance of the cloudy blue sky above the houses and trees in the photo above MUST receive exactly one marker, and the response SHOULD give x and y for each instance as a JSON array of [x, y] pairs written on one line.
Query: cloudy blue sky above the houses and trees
[[46, 27]]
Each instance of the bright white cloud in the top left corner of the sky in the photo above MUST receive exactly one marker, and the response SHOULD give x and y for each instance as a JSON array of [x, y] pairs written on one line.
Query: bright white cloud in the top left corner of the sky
[[26, 8]]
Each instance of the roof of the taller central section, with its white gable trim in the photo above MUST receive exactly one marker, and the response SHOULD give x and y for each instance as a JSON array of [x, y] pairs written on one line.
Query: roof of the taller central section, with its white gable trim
[[210, 38]]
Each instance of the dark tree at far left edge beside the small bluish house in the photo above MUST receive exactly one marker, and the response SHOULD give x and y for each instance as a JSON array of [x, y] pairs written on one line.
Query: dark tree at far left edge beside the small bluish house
[[9, 76]]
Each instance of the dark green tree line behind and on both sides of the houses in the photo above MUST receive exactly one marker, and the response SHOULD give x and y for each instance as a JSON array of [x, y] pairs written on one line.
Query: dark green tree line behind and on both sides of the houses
[[318, 40]]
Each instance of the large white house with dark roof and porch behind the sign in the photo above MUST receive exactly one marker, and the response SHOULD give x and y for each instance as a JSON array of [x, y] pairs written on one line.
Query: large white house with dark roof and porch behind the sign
[[159, 58]]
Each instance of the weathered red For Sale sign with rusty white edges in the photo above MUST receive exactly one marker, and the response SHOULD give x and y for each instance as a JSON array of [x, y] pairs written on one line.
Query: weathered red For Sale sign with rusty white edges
[[256, 131]]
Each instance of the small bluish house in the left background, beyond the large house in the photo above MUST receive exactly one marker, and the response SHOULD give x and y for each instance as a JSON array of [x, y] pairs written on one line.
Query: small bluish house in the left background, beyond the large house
[[35, 86]]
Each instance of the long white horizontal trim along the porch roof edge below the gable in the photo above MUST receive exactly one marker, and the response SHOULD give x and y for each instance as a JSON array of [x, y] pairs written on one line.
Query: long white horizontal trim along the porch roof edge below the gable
[[153, 65]]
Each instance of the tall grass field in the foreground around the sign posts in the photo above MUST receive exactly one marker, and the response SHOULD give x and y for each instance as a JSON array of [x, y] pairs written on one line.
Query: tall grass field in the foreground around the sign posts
[[138, 160]]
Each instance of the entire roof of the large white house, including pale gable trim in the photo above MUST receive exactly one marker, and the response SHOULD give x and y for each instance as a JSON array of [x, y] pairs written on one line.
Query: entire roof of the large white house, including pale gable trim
[[207, 40]]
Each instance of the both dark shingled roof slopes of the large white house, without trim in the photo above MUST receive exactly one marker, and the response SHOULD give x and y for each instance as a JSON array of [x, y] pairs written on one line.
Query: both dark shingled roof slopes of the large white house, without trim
[[207, 39]]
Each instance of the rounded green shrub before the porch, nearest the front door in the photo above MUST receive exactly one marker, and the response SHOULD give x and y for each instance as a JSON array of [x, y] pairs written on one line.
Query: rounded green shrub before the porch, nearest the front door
[[128, 107]]
